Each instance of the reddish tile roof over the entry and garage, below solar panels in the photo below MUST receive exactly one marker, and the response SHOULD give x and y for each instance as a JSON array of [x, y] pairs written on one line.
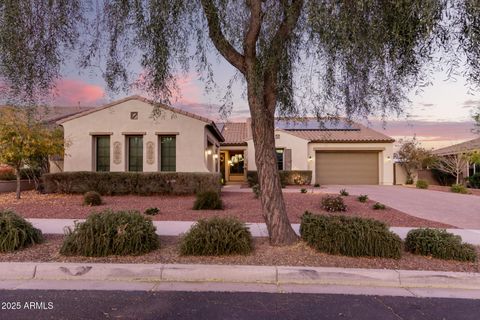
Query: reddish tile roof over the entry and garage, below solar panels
[[236, 133]]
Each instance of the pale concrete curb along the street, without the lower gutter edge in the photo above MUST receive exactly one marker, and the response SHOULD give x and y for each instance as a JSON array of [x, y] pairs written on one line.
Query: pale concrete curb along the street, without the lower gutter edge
[[243, 274]]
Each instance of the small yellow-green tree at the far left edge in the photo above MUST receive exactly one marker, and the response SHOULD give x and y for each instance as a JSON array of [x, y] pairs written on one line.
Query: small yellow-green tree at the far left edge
[[23, 141]]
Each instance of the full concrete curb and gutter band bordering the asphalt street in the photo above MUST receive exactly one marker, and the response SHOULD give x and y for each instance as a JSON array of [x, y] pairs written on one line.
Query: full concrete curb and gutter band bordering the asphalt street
[[105, 276]]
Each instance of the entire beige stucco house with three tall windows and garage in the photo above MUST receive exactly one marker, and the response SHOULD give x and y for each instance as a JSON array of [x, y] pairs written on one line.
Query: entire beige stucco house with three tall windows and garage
[[124, 136]]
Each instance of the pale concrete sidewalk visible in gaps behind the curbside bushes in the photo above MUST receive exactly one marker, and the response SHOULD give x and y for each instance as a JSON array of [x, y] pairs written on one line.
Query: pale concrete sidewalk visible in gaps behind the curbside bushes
[[175, 228]]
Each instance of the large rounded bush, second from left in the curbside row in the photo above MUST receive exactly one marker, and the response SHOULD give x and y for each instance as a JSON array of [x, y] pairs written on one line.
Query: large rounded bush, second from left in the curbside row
[[111, 233]]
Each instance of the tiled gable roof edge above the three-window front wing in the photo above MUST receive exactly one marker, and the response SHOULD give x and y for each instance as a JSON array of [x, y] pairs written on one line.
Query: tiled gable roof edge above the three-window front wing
[[210, 123]]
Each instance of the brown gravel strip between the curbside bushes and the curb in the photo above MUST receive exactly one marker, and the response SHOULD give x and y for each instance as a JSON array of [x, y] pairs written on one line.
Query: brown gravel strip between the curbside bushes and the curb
[[296, 255]]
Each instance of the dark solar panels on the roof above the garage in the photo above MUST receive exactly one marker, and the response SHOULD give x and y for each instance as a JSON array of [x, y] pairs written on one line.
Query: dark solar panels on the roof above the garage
[[314, 124]]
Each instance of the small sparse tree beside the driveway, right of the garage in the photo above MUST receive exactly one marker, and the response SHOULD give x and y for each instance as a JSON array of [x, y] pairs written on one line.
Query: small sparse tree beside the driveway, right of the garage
[[412, 157]]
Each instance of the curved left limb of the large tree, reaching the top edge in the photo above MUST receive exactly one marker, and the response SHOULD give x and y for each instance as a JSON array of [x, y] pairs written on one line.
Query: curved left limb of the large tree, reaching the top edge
[[218, 38]]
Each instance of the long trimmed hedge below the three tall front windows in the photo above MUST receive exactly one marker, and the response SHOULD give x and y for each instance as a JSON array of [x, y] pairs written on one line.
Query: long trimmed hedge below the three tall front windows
[[141, 183]]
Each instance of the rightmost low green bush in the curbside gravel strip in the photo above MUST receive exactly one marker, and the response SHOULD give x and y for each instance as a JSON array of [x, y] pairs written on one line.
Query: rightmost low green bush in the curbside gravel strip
[[439, 244]]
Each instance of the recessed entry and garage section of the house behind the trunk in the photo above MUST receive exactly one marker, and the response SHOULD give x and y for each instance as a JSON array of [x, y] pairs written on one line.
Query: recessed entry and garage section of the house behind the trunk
[[336, 151]]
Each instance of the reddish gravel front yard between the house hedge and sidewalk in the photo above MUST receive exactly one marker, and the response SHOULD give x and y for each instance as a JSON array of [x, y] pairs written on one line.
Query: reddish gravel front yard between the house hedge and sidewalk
[[238, 204]]
